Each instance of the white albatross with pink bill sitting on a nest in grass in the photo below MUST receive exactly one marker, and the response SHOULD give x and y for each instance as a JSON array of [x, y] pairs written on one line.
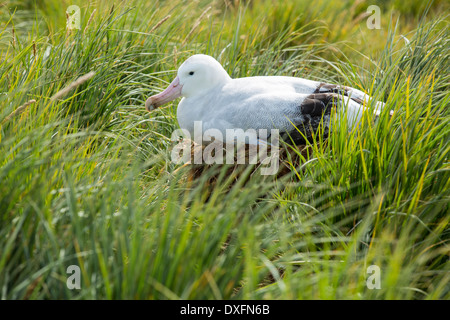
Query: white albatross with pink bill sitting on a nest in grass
[[288, 104]]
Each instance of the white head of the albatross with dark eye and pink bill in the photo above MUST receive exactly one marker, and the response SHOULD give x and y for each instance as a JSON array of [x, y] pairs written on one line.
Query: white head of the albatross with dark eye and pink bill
[[196, 75]]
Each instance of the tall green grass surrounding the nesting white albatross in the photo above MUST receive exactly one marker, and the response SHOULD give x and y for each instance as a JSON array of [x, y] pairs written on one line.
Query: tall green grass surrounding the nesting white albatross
[[86, 177]]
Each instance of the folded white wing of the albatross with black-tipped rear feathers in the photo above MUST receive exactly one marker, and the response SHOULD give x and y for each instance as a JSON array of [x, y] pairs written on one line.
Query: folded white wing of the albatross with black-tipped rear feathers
[[287, 104]]
